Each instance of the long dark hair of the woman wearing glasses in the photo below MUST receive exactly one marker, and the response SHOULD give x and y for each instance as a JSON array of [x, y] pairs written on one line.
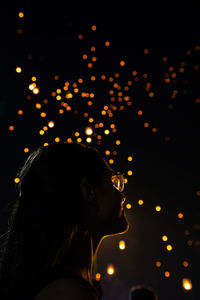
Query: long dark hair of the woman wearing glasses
[[48, 214]]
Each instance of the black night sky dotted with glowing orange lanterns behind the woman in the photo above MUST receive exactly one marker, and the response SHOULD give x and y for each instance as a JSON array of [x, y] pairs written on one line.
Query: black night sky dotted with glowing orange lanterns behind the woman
[[148, 77]]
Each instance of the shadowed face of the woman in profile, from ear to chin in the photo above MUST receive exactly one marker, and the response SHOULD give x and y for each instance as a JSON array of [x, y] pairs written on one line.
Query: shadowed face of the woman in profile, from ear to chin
[[104, 206]]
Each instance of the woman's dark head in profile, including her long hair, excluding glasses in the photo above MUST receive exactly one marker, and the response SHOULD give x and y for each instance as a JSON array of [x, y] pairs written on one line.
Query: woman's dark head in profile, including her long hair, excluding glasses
[[66, 193]]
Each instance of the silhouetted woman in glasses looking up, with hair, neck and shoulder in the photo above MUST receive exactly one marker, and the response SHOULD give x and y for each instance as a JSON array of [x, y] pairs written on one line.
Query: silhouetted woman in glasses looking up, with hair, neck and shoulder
[[69, 200]]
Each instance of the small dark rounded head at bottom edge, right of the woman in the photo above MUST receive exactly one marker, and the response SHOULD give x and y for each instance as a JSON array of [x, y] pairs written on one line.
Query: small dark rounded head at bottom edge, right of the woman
[[142, 293]]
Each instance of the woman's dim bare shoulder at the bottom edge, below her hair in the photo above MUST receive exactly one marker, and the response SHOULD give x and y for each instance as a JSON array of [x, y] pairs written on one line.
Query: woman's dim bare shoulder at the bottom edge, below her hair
[[66, 288]]
